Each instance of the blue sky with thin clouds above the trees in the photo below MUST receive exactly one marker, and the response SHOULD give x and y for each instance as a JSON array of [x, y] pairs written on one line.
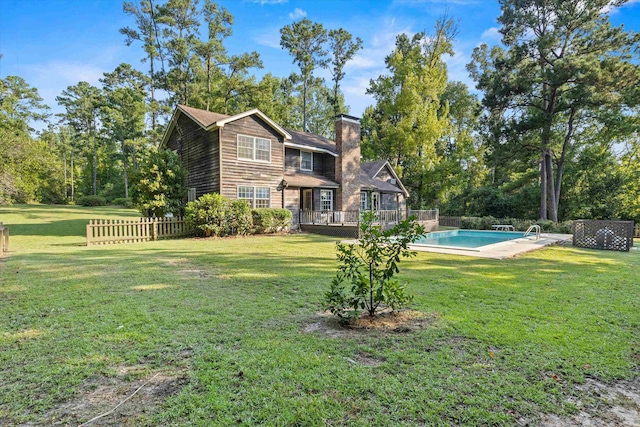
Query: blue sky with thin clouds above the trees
[[56, 43]]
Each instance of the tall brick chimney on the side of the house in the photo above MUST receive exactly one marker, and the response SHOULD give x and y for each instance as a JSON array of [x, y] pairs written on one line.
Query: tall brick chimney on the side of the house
[[348, 162]]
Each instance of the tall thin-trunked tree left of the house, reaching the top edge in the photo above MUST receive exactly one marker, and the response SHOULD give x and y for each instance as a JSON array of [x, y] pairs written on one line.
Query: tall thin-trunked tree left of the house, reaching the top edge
[[144, 14]]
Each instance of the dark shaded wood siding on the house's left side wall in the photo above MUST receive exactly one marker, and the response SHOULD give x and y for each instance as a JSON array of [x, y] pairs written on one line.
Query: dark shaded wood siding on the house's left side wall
[[198, 151]]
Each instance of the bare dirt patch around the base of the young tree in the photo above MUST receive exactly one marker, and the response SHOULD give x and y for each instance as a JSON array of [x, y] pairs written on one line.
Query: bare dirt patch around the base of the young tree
[[403, 321]]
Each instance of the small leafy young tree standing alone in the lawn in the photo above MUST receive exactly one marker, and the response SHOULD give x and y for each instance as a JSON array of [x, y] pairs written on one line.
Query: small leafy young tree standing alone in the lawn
[[365, 277]]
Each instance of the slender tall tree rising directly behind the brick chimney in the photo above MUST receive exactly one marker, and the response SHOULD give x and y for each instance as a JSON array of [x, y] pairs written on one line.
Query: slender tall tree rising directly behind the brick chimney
[[342, 49]]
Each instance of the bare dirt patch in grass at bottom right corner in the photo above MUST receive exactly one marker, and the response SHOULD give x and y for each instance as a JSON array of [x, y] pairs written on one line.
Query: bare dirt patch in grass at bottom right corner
[[610, 405]]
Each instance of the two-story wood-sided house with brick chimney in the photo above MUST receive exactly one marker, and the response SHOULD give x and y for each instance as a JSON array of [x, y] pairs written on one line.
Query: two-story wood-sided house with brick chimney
[[249, 156]]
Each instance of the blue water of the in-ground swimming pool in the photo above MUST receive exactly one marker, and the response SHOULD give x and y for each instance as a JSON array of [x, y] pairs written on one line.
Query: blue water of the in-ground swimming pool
[[467, 238]]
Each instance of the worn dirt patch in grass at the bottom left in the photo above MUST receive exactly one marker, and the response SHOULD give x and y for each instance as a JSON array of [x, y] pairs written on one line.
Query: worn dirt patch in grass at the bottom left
[[105, 393]]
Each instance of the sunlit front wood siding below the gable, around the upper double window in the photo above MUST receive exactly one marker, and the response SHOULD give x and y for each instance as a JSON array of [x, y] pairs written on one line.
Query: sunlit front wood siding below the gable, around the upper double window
[[237, 172]]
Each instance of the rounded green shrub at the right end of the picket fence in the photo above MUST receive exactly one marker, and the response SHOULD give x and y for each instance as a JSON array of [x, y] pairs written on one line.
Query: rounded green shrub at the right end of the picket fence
[[210, 214]]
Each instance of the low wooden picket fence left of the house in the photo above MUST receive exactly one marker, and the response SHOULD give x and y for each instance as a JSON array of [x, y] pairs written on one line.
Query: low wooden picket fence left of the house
[[110, 231]]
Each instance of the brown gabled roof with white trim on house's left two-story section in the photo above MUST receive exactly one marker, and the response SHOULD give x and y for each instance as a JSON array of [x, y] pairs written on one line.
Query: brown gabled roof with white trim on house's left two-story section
[[208, 120]]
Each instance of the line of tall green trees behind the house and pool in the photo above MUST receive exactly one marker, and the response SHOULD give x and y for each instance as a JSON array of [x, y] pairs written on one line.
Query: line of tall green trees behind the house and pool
[[550, 132]]
